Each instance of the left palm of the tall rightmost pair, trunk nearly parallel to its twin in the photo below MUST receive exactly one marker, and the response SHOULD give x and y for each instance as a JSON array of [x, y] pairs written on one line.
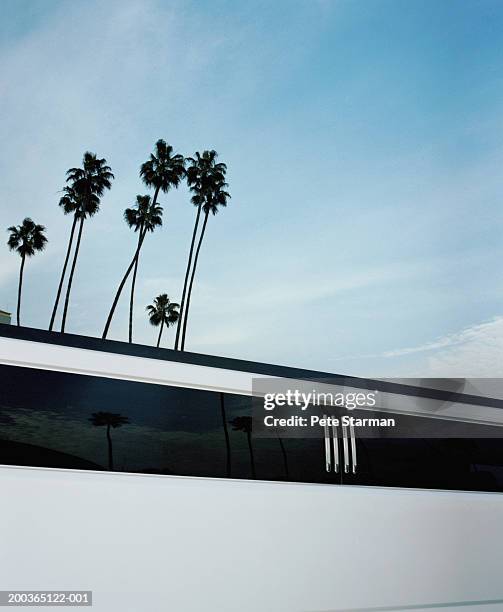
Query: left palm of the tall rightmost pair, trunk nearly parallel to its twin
[[203, 170]]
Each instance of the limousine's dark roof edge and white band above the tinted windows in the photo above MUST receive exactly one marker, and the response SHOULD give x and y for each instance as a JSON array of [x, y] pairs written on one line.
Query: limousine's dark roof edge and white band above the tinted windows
[[35, 348]]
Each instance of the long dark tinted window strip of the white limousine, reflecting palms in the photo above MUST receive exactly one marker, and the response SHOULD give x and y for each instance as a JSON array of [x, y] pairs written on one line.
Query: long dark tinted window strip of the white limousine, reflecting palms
[[53, 419]]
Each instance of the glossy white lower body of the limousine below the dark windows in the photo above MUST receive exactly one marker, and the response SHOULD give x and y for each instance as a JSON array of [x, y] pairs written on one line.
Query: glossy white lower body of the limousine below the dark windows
[[166, 543]]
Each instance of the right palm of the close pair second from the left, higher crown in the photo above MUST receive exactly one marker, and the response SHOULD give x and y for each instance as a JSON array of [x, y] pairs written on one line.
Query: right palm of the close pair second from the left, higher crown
[[89, 184]]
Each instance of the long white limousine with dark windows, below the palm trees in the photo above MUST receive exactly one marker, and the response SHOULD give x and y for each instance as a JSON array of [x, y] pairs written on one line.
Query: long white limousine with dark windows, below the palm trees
[[136, 473]]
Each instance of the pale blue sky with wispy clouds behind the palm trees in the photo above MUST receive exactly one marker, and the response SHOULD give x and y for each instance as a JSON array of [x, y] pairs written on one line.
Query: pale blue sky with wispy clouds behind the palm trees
[[364, 146]]
